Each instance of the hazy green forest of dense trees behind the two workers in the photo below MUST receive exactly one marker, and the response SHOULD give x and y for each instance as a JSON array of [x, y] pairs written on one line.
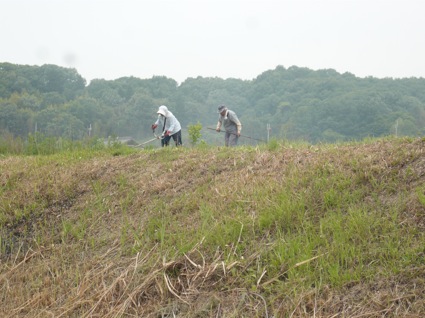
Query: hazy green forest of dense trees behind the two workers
[[297, 103]]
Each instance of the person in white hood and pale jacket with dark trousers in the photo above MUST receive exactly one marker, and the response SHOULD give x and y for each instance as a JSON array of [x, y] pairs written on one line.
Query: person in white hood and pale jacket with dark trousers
[[170, 126]]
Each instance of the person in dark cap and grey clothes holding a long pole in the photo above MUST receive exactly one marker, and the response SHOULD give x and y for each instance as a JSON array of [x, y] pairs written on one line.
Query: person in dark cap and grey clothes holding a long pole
[[232, 126]]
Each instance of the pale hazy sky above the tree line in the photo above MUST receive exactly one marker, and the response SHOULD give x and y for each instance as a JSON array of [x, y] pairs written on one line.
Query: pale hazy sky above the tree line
[[218, 38]]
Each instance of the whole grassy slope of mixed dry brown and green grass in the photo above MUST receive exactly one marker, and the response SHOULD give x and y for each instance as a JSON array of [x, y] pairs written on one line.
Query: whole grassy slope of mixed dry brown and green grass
[[277, 230]]
